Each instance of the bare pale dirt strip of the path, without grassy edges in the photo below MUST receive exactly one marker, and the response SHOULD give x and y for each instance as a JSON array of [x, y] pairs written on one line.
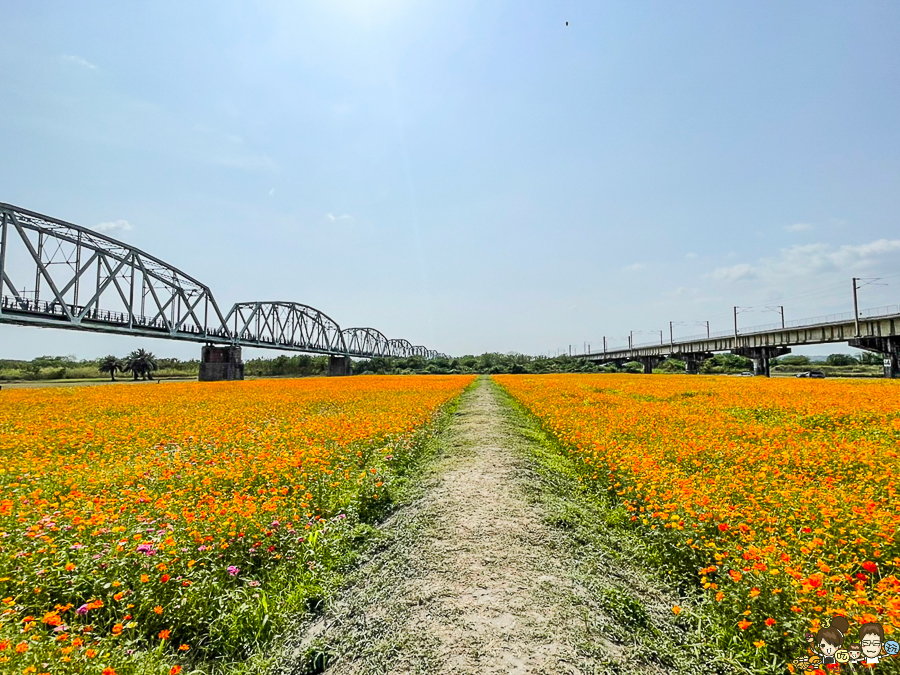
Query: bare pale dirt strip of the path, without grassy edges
[[489, 592]]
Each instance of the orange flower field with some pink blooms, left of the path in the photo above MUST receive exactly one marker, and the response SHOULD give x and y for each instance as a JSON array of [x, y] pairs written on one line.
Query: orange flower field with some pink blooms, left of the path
[[161, 528]]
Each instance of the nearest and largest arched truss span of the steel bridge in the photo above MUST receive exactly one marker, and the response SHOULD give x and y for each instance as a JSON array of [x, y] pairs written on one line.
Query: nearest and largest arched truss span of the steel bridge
[[85, 280]]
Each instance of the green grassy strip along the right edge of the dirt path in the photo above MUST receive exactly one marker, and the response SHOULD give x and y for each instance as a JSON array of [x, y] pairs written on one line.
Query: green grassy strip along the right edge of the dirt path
[[628, 596]]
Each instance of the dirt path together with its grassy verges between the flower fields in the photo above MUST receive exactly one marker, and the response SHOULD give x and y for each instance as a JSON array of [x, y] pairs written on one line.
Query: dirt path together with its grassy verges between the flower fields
[[473, 578]]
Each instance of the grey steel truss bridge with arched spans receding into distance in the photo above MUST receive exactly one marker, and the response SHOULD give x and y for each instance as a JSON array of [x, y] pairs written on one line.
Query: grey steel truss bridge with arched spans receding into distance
[[84, 280]]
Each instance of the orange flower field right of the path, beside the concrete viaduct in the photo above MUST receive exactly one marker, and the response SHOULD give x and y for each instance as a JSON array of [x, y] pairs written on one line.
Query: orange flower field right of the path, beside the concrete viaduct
[[777, 500]]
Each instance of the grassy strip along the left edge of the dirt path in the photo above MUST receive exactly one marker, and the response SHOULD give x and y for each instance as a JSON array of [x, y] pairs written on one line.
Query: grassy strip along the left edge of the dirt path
[[366, 578]]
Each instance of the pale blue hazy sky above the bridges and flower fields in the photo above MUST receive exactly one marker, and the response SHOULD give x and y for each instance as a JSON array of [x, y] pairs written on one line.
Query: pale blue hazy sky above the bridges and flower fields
[[470, 176]]
